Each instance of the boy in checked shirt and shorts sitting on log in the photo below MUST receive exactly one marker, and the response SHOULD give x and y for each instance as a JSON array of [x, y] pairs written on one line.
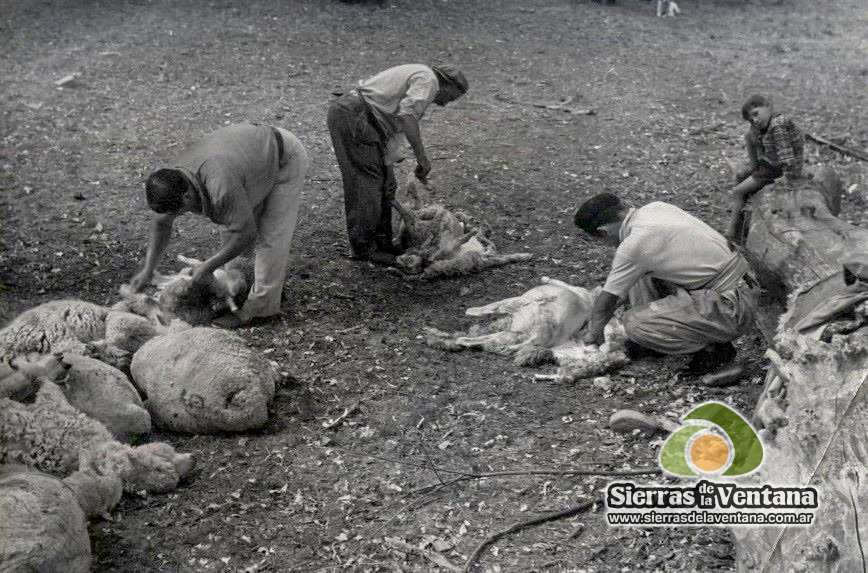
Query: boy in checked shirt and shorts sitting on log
[[775, 147]]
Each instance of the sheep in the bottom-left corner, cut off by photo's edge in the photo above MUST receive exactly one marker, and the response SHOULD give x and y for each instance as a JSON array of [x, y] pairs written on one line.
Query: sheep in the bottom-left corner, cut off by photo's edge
[[44, 525]]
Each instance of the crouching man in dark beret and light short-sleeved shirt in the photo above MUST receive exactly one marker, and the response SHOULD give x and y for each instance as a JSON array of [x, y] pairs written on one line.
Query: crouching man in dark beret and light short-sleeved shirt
[[688, 292]]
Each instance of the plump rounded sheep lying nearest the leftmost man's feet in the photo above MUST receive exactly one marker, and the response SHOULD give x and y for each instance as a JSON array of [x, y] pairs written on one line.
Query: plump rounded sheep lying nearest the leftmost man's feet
[[204, 380]]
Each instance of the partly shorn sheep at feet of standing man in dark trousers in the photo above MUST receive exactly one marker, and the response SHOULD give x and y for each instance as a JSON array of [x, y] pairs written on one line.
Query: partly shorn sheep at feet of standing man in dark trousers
[[439, 243]]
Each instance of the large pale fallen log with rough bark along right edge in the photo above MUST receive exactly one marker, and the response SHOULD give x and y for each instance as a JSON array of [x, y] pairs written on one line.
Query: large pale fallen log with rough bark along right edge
[[813, 410]]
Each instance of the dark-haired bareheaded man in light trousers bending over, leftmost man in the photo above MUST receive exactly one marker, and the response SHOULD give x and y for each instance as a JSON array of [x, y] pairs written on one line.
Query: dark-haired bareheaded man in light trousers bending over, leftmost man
[[247, 178]]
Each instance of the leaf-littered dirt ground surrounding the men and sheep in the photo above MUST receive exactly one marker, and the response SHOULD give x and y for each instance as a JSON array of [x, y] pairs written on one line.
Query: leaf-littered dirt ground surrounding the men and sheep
[[152, 76]]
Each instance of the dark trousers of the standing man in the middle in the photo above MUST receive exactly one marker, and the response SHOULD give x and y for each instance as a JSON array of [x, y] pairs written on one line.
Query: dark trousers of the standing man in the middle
[[369, 184]]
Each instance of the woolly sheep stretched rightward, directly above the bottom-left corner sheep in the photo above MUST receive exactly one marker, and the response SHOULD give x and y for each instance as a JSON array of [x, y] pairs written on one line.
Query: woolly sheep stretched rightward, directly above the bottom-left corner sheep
[[52, 436]]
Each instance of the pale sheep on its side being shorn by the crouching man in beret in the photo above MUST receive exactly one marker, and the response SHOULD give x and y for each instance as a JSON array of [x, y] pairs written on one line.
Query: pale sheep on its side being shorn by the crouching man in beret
[[544, 324]]
